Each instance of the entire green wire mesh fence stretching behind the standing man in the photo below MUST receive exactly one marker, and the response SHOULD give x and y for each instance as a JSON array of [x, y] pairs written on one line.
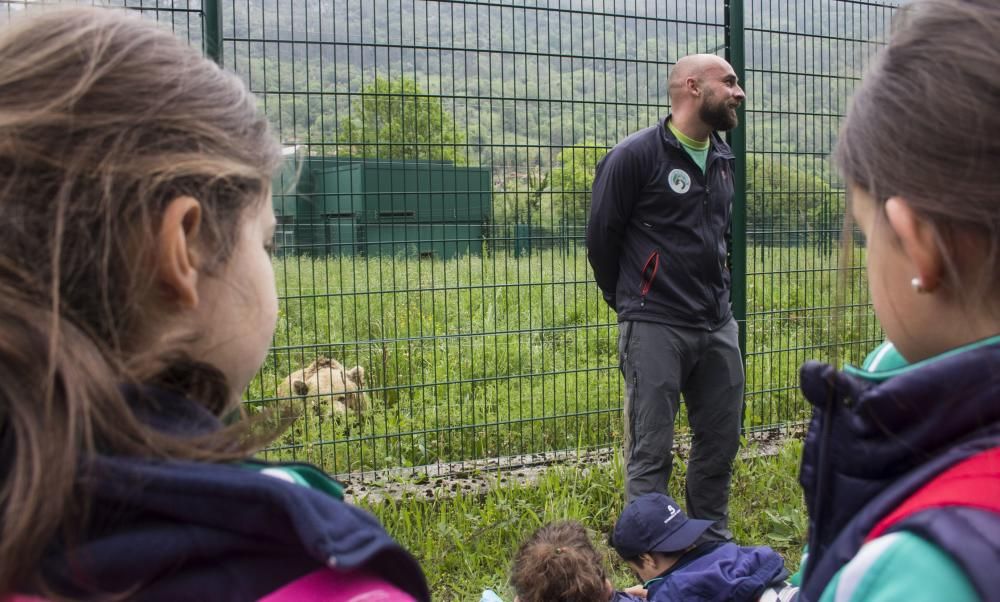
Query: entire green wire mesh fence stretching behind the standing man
[[431, 214]]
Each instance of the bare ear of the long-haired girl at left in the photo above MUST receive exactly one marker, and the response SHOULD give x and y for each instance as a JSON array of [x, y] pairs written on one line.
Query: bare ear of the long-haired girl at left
[[176, 264]]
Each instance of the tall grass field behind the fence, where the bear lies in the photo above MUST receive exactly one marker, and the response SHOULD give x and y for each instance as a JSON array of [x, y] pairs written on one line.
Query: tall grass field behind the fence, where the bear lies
[[494, 355]]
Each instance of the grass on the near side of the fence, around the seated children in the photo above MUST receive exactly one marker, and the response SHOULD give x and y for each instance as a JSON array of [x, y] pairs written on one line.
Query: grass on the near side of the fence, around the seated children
[[466, 543]]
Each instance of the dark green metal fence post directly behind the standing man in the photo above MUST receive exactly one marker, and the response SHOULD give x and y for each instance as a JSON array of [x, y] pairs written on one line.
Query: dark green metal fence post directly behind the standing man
[[735, 54]]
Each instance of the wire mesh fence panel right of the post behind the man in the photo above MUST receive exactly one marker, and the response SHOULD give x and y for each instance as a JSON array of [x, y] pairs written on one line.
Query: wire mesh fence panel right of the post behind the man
[[803, 58]]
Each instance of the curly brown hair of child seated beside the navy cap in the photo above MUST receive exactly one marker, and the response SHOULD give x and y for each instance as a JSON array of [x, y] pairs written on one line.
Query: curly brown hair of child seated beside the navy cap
[[558, 563]]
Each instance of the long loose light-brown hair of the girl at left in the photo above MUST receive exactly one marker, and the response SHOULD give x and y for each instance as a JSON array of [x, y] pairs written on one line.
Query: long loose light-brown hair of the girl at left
[[104, 119]]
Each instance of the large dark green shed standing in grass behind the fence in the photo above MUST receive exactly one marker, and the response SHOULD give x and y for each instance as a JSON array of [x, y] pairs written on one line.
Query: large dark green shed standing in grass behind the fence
[[343, 205]]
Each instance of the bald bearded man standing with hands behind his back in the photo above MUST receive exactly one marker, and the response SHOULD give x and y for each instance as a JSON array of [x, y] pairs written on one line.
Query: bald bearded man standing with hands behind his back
[[658, 242]]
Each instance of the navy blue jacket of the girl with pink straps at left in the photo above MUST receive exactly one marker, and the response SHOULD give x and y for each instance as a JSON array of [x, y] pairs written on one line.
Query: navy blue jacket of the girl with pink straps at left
[[198, 531]]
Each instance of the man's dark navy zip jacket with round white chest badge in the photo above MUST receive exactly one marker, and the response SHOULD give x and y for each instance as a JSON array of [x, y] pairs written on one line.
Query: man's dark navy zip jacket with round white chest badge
[[657, 238]]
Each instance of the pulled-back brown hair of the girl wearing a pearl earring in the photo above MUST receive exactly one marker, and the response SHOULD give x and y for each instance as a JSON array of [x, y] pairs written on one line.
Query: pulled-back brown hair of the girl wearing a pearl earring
[[924, 125]]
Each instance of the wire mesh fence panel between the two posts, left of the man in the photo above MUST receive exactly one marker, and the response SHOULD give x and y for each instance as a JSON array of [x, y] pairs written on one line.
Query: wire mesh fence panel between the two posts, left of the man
[[474, 128]]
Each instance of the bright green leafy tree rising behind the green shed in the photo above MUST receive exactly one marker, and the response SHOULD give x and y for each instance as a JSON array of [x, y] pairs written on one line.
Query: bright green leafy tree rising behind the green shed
[[395, 119]]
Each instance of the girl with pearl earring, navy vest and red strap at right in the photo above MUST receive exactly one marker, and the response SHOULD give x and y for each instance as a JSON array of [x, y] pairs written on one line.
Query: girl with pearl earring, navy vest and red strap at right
[[900, 463]]
